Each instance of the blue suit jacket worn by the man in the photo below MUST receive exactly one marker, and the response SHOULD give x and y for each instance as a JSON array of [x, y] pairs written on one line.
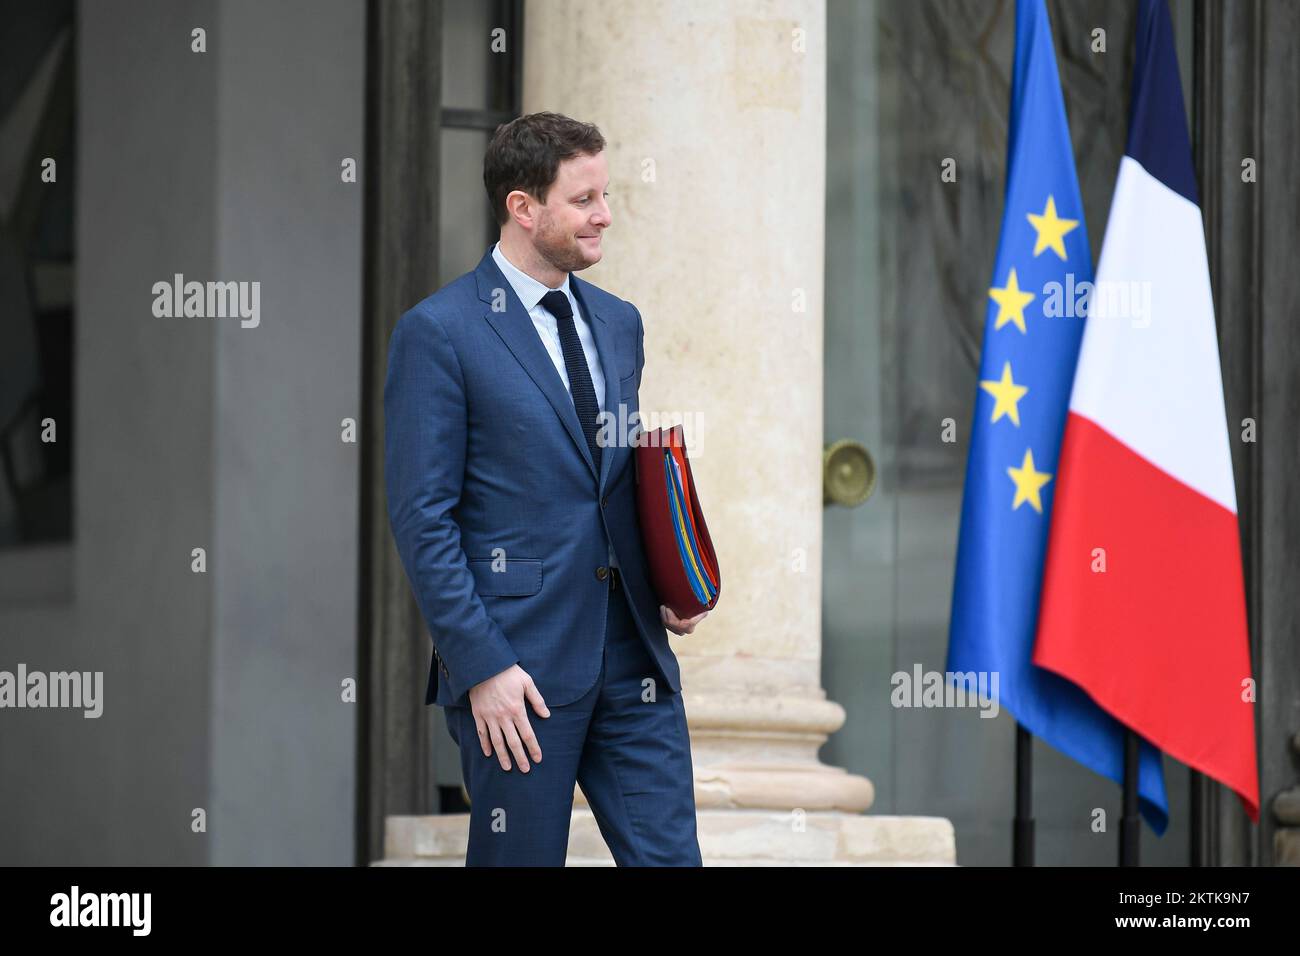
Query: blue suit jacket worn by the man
[[499, 514]]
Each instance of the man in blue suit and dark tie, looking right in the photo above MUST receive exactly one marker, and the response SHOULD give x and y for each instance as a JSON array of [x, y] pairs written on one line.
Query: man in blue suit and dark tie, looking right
[[510, 410]]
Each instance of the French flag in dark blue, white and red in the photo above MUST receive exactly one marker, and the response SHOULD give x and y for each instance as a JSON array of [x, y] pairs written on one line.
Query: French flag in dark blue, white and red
[[1143, 600]]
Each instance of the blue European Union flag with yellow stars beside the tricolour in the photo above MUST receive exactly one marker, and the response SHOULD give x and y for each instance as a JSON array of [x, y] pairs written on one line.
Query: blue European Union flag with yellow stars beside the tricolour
[[1032, 341]]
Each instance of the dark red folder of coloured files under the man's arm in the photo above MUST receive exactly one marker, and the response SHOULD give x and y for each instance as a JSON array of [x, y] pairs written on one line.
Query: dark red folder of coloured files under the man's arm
[[681, 553]]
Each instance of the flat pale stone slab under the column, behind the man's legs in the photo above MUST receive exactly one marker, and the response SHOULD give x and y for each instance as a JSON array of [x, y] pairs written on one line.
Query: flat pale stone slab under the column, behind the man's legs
[[727, 838]]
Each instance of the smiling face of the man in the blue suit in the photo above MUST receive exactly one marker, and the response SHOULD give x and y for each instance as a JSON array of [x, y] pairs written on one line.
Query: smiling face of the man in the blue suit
[[570, 224]]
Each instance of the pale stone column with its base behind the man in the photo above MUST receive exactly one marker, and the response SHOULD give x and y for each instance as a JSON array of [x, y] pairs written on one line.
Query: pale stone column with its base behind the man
[[714, 115]]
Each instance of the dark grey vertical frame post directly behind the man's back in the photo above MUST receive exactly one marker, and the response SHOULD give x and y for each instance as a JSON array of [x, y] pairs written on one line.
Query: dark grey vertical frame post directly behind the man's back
[[404, 101]]
